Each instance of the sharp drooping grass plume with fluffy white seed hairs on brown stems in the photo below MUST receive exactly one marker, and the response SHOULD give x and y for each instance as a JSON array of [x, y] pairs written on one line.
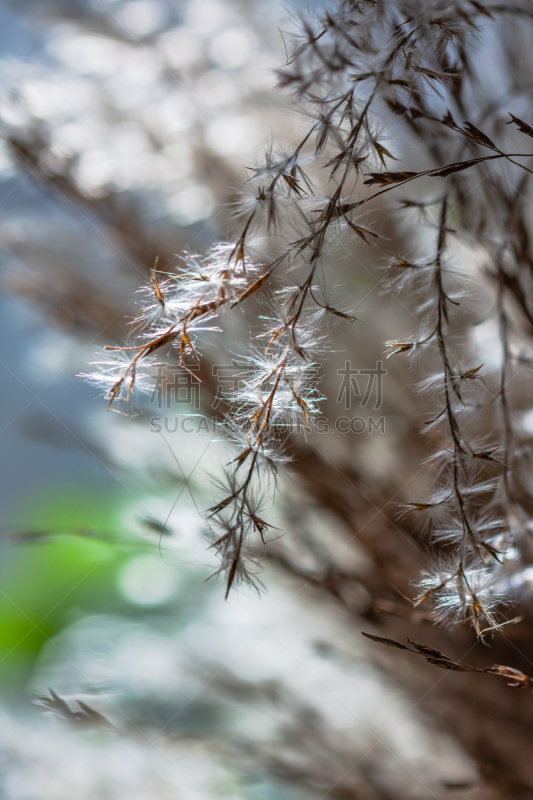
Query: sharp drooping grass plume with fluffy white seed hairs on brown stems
[[356, 65]]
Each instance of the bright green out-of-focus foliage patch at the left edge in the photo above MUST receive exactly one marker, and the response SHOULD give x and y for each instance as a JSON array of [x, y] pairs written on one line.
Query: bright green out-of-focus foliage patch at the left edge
[[56, 577]]
